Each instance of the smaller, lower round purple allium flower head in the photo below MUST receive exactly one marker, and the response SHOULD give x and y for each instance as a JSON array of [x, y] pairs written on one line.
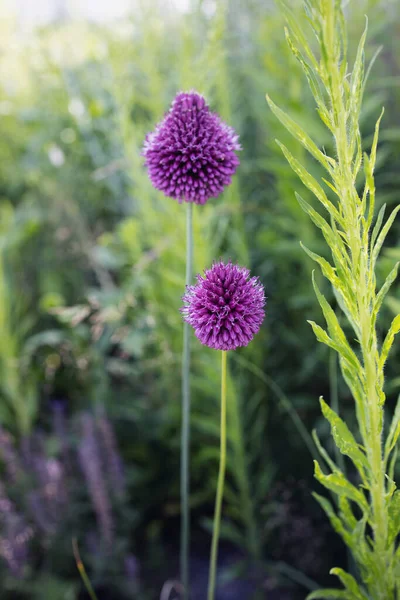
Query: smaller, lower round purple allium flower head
[[225, 307]]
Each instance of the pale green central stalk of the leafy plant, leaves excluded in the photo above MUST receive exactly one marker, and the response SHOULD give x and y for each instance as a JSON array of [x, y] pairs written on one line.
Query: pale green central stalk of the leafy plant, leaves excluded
[[362, 274]]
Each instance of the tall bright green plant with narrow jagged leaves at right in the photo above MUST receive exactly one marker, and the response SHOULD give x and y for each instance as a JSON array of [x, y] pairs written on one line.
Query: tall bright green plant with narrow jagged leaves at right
[[367, 512]]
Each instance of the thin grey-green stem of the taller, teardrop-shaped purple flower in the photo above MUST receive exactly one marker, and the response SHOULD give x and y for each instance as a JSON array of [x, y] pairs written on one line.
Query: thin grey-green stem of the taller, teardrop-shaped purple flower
[[185, 431]]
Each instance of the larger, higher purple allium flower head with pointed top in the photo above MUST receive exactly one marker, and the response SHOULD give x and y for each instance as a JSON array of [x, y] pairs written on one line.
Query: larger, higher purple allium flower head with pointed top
[[191, 154]]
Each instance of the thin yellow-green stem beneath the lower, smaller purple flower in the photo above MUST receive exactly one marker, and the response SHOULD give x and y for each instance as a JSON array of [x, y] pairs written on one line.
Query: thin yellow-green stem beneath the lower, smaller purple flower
[[220, 486]]
